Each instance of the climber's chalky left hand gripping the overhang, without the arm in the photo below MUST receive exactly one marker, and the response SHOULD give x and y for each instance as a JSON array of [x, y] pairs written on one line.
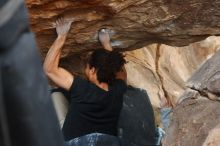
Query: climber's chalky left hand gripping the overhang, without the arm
[[62, 26]]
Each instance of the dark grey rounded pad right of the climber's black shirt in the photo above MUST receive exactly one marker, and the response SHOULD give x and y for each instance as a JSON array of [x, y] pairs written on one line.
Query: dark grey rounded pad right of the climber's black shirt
[[136, 122]]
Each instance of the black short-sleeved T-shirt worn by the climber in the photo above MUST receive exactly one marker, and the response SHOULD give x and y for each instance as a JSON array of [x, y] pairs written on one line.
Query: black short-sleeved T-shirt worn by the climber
[[92, 109]]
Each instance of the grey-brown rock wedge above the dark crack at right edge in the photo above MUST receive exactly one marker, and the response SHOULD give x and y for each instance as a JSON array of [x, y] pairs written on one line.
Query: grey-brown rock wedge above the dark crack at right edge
[[206, 80]]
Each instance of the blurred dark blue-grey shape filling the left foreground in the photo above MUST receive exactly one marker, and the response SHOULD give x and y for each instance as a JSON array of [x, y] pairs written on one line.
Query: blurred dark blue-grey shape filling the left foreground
[[27, 115]]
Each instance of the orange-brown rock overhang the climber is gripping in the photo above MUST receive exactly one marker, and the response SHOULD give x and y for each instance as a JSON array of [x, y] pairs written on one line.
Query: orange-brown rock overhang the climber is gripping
[[133, 23]]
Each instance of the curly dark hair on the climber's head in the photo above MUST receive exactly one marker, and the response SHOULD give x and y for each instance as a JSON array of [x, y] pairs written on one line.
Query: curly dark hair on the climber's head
[[107, 64]]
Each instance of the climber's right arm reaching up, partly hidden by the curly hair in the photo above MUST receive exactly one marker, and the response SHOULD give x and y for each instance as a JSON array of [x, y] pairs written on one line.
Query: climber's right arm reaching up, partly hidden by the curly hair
[[105, 41]]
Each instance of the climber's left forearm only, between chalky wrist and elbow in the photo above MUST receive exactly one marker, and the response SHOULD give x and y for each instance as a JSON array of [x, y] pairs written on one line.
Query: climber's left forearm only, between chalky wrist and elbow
[[52, 59]]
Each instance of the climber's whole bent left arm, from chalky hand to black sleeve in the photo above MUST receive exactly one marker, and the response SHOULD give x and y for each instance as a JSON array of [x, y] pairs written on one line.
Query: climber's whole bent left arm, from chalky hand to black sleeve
[[61, 77]]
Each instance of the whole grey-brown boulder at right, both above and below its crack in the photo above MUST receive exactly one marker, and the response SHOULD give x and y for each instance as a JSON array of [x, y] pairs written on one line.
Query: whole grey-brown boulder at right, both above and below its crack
[[198, 114]]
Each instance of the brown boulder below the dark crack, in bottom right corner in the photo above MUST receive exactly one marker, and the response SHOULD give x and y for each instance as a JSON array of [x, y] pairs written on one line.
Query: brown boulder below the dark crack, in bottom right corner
[[194, 123]]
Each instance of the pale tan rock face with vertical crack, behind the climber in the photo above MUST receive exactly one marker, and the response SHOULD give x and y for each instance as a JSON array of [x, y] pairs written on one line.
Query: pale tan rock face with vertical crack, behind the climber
[[163, 70]]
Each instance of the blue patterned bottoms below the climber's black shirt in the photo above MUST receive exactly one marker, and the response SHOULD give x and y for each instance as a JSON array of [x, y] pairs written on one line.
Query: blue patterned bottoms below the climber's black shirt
[[94, 139]]
